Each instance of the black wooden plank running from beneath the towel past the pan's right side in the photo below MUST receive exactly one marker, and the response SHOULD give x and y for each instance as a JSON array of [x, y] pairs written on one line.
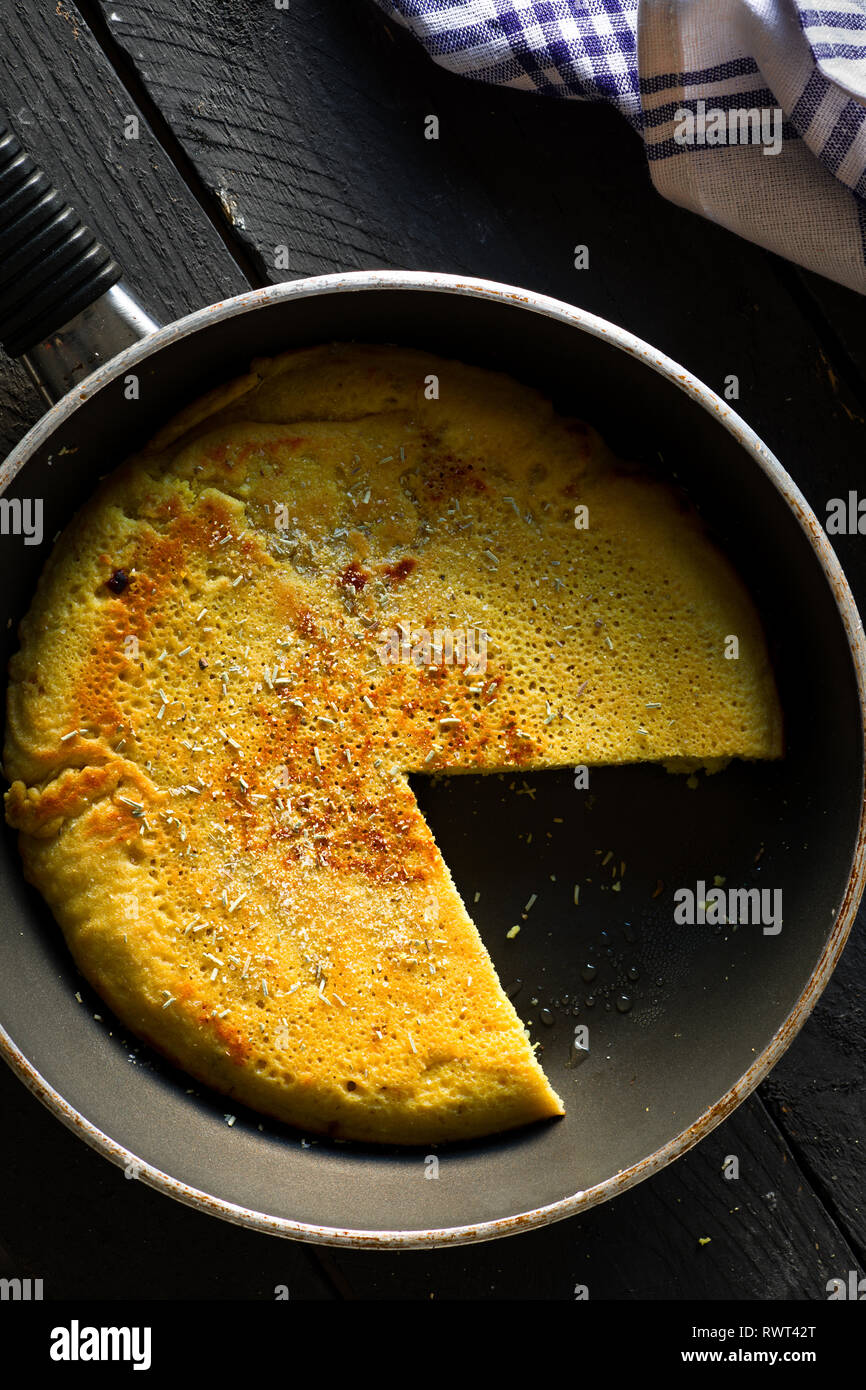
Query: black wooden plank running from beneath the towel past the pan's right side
[[320, 147]]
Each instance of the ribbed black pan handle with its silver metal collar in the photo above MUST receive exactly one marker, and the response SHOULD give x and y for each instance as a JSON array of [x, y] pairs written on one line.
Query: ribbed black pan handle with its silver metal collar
[[62, 308]]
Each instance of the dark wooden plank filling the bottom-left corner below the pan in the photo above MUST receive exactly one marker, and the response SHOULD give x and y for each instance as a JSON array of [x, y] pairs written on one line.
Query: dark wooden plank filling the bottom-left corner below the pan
[[77, 1223]]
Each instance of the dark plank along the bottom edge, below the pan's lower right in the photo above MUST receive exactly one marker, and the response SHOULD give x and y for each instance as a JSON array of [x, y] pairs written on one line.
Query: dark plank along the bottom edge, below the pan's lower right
[[767, 1239]]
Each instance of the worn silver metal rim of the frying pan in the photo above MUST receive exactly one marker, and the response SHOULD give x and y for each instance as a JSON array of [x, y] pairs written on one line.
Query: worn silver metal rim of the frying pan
[[692, 386]]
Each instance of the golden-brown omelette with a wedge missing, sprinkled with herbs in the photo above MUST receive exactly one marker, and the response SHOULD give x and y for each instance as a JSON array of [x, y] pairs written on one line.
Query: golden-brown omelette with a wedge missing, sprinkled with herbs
[[355, 564]]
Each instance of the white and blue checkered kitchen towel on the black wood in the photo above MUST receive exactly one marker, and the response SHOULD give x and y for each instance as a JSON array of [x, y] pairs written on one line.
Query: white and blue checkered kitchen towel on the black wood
[[753, 112]]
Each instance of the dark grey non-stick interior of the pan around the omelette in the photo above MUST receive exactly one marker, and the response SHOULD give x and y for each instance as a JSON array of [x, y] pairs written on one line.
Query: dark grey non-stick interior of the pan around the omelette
[[675, 1014]]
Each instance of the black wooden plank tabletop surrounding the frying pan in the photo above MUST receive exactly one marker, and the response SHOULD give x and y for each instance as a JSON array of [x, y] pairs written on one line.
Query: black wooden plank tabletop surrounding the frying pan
[[263, 129]]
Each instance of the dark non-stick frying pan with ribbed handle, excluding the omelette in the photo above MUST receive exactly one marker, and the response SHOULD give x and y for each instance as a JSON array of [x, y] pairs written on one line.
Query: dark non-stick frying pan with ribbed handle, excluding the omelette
[[683, 1021]]
